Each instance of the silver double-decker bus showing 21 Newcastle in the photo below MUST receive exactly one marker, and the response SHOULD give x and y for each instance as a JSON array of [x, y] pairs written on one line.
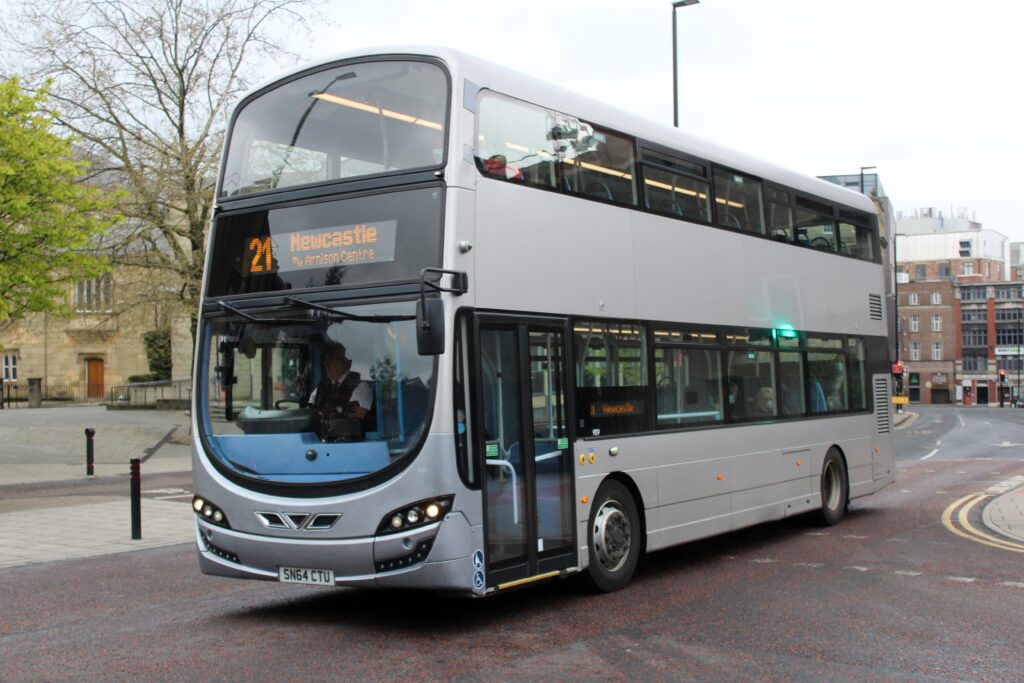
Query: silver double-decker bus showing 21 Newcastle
[[463, 330]]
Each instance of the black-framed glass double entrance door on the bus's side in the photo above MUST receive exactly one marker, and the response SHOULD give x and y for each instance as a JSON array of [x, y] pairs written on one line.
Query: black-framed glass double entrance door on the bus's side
[[524, 442]]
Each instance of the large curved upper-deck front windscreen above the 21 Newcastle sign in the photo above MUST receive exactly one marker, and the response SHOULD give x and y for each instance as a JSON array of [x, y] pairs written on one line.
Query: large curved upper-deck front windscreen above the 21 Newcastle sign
[[347, 122]]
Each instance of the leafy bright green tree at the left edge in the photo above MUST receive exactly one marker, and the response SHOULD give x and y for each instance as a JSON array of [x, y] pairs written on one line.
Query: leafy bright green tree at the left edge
[[50, 220]]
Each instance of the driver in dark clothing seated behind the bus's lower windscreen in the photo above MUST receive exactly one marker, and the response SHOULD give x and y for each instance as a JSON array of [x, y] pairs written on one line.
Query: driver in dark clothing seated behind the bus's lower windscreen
[[342, 401]]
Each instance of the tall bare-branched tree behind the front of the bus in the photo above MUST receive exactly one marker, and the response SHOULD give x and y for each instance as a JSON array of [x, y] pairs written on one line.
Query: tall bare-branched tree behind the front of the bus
[[146, 88]]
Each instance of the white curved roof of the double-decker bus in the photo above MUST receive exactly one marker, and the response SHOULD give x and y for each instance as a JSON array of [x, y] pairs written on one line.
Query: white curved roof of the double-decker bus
[[488, 75]]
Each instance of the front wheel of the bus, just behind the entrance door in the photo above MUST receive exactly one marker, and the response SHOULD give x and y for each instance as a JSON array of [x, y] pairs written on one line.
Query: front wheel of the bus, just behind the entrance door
[[614, 538]]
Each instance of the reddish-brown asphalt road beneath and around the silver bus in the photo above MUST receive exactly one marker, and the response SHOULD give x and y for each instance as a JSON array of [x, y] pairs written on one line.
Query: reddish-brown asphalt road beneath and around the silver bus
[[889, 594]]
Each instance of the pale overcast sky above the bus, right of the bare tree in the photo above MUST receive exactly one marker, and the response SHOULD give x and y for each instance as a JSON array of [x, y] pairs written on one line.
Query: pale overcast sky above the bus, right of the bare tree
[[930, 92]]
